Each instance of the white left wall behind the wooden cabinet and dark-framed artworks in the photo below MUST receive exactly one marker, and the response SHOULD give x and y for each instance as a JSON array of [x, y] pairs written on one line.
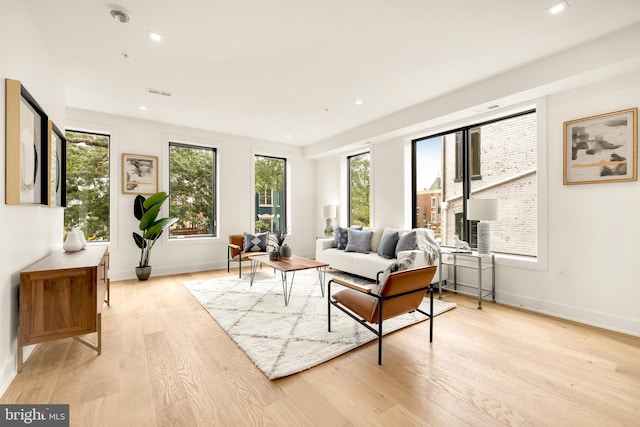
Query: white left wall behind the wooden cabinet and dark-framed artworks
[[29, 232]]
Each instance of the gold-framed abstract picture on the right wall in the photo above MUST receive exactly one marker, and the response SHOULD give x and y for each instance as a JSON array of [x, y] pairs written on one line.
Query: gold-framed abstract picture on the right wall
[[601, 148]]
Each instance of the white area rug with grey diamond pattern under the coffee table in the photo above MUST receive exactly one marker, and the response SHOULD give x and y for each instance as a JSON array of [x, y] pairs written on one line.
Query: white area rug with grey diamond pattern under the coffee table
[[283, 340]]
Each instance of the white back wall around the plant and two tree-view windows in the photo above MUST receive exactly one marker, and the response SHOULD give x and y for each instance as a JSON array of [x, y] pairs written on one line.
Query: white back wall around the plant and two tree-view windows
[[235, 189]]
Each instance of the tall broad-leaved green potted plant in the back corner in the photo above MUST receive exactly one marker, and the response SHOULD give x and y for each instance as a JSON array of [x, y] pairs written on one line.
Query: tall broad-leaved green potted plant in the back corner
[[146, 211]]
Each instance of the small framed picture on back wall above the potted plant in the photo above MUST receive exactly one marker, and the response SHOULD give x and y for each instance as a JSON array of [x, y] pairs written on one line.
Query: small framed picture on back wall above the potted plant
[[139, 174]]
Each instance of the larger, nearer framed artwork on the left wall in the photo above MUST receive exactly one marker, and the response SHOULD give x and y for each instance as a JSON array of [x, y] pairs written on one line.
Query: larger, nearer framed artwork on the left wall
[[27, 148]]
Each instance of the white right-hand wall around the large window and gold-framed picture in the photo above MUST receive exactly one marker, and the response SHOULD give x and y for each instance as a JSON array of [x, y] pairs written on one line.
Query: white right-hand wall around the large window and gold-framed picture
[[589, 229]]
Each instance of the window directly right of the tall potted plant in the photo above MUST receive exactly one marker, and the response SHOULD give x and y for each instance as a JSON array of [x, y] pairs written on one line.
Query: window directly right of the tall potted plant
[[192, 195]]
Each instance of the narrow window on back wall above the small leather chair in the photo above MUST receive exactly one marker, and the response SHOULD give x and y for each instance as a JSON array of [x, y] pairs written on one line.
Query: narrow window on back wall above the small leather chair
[[270, 193]]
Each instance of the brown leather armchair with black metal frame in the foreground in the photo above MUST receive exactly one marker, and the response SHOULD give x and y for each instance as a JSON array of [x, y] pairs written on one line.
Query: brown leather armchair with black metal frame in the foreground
[[401, 292]]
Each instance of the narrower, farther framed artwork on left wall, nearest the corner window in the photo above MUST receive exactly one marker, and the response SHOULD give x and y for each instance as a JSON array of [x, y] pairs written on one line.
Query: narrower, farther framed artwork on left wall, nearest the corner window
[[57, 167]]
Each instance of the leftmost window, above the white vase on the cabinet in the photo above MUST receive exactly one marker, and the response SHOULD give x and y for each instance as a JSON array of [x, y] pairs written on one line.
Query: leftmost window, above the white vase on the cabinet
[[88, 185]]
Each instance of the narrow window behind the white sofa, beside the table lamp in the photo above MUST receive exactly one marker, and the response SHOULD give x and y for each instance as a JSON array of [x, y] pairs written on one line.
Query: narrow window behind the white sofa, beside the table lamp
[[359, 189]]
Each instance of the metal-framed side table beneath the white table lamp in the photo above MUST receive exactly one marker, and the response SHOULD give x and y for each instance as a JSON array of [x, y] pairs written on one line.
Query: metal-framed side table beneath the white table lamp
[[470, 260]]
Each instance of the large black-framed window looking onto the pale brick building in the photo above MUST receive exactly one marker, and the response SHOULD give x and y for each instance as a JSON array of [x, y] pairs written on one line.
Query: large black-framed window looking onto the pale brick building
[[490, 160]]
